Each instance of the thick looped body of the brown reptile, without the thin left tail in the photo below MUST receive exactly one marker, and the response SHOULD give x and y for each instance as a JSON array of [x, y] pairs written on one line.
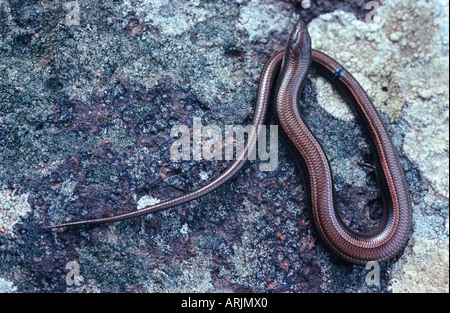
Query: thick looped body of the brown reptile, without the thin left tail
[[393, 231]]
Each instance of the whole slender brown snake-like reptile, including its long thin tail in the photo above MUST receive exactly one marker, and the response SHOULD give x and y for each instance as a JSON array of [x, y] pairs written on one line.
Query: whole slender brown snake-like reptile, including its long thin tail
[[293, 66]]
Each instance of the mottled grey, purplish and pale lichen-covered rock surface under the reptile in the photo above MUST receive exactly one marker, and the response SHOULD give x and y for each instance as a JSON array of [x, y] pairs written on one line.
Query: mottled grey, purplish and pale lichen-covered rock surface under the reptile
[[87, 103]]
